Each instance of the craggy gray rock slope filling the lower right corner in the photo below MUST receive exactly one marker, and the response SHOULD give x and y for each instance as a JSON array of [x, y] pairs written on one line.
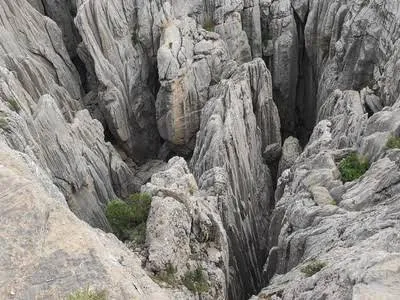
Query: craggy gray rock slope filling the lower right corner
[[350, 234]]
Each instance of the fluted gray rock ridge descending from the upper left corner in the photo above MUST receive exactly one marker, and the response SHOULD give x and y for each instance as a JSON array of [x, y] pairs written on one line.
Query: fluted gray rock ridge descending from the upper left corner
[[41, 118]]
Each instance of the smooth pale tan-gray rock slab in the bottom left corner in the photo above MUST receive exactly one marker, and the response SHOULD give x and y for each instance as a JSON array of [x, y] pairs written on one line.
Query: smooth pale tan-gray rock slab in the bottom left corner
[[48, 253]]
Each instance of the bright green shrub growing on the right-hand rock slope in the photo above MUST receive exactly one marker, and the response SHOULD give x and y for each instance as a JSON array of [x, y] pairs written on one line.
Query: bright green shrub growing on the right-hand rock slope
[[353, 167]]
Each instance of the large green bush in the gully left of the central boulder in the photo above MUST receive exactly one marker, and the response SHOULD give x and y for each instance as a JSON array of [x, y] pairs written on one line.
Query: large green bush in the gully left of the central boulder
[[128, 218]]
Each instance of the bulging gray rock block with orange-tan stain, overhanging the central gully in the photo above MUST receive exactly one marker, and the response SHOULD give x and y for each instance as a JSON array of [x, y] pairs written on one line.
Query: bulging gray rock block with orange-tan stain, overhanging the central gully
[[189, 62]]
